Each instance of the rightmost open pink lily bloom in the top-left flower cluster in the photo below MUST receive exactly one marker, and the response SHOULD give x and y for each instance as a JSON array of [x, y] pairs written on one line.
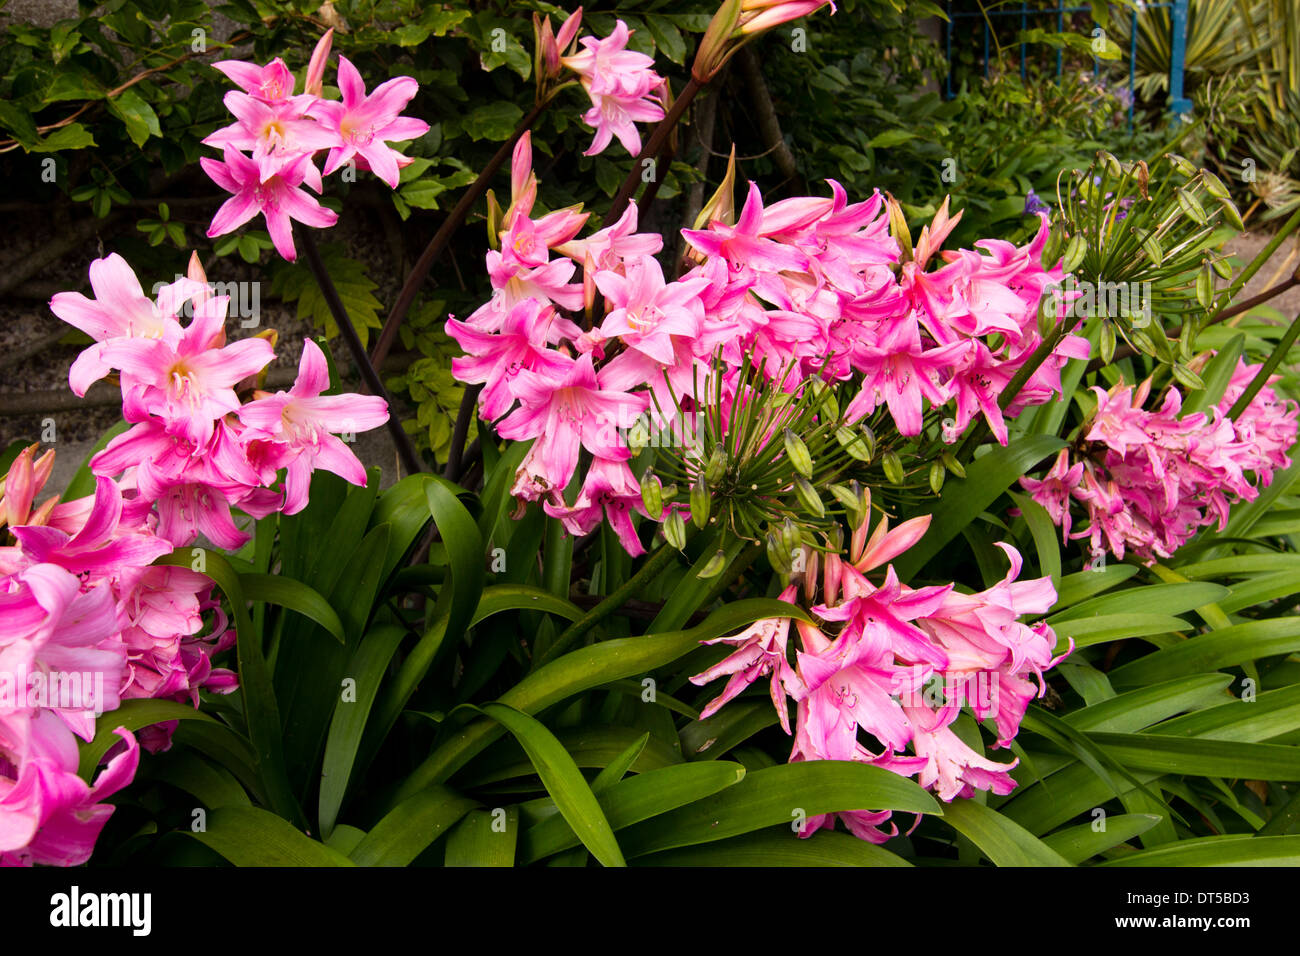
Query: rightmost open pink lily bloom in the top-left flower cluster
[[366, 126]]
